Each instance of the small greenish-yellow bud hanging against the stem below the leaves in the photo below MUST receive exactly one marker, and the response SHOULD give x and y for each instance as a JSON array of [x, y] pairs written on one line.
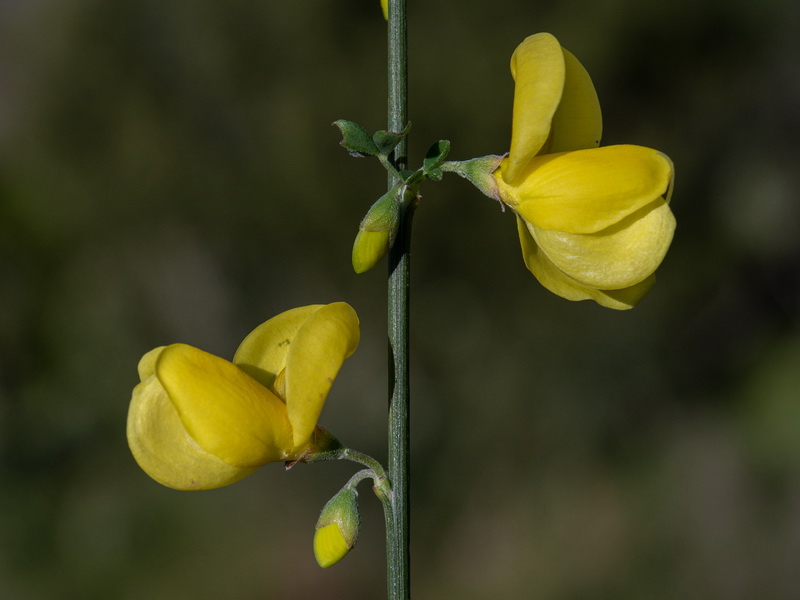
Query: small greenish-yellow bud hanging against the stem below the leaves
[[376, 233]]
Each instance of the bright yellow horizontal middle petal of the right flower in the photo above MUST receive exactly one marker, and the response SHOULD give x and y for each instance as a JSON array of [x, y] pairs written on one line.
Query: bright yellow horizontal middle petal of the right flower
[[587, 191]]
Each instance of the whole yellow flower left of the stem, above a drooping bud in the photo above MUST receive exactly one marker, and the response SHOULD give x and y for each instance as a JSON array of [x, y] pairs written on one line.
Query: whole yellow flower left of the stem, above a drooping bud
[[197, 421]]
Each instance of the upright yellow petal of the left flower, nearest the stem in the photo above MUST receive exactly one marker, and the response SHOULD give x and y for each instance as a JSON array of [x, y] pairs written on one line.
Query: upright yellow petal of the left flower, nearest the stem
[[316, 354]]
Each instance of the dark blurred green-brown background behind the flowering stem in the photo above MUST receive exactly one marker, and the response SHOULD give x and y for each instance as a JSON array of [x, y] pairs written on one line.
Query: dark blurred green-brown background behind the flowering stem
[[168, 173]]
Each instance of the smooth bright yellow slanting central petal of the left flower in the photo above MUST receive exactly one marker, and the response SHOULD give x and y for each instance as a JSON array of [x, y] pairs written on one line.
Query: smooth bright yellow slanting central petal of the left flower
[[227, 412]]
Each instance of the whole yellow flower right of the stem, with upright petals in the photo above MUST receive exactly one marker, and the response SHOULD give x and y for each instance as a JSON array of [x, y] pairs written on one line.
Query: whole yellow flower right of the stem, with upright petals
[[594, 223]]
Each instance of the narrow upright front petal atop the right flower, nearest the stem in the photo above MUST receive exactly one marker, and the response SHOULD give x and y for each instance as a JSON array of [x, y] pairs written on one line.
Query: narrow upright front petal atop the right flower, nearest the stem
[[537, 66]]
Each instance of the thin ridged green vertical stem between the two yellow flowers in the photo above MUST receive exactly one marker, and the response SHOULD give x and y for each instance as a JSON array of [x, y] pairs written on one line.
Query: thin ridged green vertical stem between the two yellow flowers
[[397, 526]]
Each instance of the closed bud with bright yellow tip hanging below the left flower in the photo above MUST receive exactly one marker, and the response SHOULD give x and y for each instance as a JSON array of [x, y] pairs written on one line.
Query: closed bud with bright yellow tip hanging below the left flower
[[337, 528]]
